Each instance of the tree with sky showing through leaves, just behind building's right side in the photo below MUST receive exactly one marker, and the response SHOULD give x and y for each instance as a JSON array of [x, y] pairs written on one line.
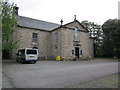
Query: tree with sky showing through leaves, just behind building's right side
[[95, 32]]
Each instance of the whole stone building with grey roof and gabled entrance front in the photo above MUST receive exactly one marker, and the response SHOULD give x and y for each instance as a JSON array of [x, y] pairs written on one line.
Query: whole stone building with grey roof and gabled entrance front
[[69, 40]]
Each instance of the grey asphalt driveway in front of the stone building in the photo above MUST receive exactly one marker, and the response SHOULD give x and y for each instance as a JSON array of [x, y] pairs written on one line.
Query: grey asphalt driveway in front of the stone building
[[54, 74]]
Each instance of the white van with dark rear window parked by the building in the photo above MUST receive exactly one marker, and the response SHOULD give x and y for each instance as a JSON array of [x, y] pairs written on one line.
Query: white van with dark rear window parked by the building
[[27, 55]]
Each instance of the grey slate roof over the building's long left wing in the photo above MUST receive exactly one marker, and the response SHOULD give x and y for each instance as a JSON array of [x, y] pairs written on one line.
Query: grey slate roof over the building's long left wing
[[36, 24]]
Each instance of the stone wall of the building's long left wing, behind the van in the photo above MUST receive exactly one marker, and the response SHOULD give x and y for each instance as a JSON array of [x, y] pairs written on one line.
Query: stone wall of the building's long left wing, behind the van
[[24, 36]]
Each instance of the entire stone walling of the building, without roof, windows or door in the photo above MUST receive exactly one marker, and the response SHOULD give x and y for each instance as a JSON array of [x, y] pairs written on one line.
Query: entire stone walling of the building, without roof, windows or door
[[59, 42]]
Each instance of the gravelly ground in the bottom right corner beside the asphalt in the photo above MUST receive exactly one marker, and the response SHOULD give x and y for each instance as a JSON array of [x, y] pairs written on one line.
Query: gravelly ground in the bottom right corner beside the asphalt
[[110, 81]]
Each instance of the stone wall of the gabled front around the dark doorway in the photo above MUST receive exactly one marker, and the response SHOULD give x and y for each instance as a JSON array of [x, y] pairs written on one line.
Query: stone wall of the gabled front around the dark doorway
[[86, 44]]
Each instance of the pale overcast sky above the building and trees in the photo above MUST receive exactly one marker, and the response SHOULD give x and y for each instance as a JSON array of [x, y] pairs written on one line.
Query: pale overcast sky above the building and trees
[[97, 11]]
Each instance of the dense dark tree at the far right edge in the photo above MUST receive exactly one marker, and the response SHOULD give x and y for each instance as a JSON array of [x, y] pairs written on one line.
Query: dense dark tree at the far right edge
[[111, 38]]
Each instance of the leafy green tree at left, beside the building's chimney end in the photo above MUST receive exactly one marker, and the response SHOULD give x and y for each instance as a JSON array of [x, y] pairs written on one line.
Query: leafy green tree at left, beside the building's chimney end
[[9, 23]]
